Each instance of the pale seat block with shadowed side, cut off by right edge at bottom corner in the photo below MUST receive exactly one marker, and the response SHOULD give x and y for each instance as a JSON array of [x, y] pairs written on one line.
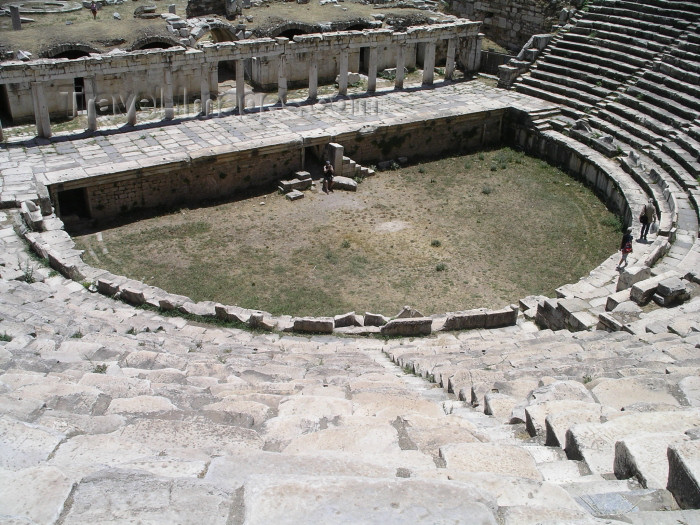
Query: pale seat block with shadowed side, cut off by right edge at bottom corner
[[684, 474]]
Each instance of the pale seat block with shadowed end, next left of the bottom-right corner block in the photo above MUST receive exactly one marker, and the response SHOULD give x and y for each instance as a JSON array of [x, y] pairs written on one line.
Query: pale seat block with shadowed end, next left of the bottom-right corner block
[[644, 457]]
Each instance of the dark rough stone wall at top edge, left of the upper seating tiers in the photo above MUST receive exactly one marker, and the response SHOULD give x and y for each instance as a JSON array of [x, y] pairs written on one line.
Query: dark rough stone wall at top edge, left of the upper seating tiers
[[511, 23]]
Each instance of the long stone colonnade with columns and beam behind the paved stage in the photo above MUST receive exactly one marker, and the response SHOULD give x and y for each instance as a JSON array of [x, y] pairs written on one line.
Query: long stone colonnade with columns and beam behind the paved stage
[[336, 46]]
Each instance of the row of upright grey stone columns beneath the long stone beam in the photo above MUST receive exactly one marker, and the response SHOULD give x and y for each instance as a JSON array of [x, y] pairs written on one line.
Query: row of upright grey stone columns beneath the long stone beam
[[209, 83]]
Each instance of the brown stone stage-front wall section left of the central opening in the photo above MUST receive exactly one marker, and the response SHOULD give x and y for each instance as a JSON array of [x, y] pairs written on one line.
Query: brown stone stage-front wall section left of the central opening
[[175, 184]]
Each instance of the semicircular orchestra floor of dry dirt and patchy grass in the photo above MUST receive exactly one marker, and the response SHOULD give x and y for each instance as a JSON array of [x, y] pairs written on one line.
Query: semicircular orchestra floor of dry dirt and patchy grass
[[457, 233]]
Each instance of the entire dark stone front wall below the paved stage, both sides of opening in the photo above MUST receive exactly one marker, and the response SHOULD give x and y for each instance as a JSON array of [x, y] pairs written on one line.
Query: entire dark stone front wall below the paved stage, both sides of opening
[[219, 173]]
